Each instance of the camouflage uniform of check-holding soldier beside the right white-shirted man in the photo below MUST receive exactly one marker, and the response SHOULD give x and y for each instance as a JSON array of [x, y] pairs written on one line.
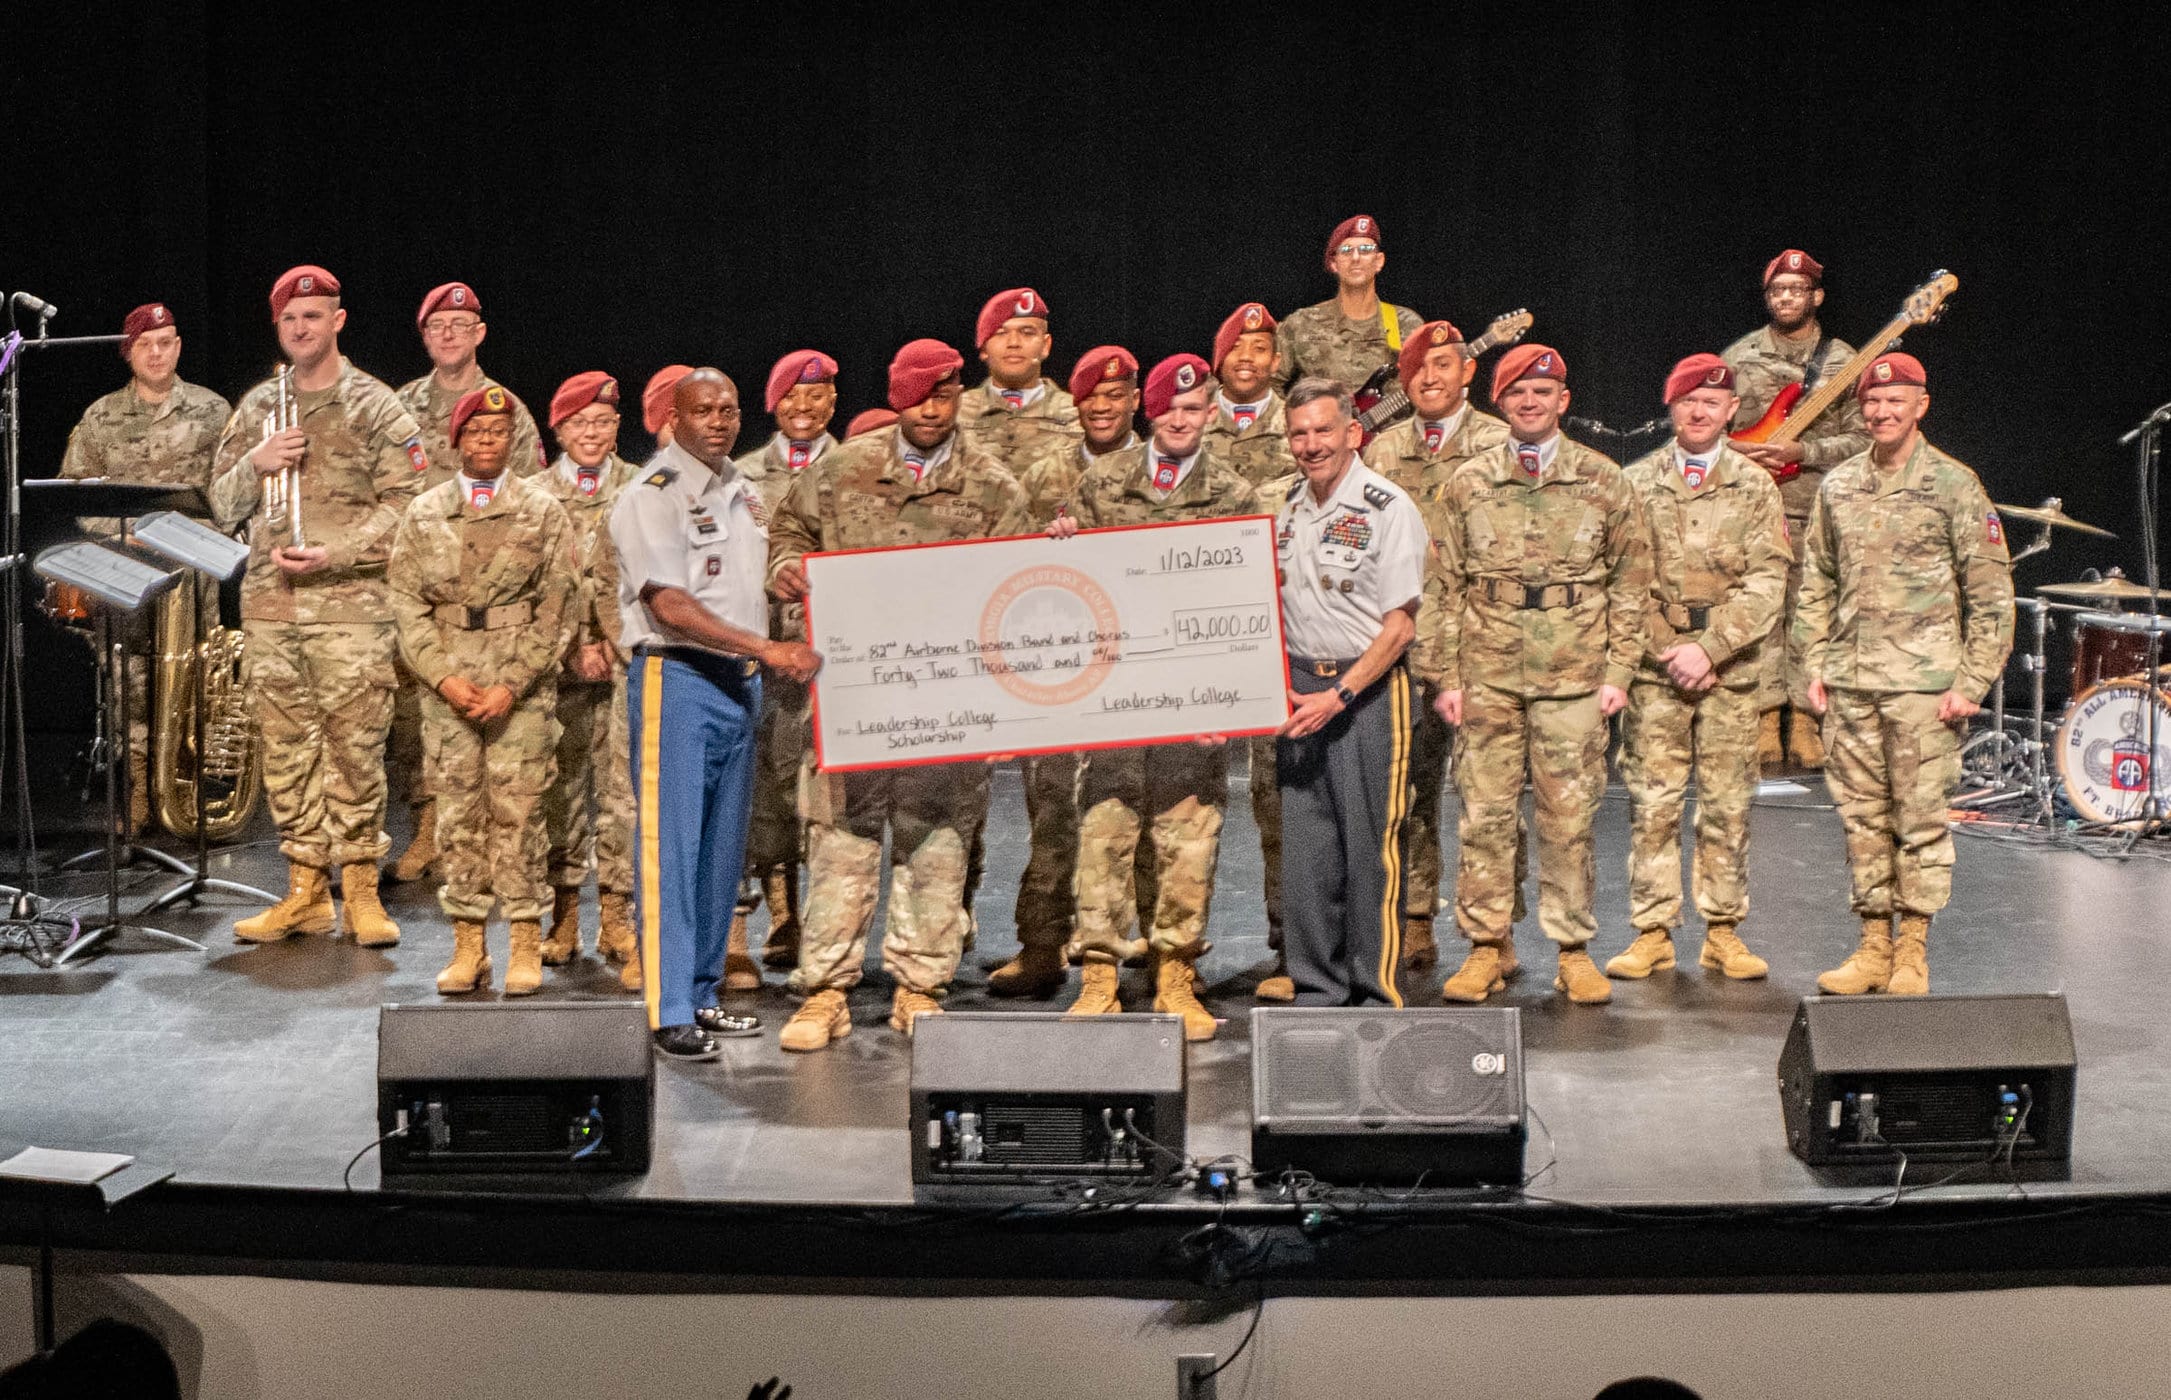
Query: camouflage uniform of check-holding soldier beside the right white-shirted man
[[1173, 791]]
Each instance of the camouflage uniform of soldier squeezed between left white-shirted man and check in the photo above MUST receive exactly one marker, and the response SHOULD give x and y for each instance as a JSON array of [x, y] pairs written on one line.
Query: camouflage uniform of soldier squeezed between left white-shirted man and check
[[776, 843]]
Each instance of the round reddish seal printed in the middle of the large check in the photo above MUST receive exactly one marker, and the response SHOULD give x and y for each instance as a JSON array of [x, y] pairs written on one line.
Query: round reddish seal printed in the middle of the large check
[[1048, 635]]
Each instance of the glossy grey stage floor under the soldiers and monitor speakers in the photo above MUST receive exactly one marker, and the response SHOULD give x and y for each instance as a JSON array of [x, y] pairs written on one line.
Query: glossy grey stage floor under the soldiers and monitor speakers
[[255, 1067]]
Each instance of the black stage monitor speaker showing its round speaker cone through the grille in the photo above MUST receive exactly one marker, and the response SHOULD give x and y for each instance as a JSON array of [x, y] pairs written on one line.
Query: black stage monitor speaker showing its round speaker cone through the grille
[[1419, 1097]]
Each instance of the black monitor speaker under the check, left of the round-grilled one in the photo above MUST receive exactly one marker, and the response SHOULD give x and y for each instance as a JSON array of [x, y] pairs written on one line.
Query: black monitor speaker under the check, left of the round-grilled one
[[1034, 1097]]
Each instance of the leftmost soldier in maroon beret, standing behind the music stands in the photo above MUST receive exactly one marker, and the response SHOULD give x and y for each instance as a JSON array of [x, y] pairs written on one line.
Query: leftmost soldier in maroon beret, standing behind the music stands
[[153, 431]]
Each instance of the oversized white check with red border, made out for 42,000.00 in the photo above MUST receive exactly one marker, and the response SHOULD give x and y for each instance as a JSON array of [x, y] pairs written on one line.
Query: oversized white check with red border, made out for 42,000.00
[[1141, 635]]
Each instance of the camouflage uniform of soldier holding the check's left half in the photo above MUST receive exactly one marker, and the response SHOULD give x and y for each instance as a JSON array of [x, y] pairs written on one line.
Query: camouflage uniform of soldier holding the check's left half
[[861, 496]]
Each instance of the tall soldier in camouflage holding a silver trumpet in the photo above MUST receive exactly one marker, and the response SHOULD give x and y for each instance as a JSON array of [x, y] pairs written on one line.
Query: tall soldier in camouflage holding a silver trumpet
[[316, 620]]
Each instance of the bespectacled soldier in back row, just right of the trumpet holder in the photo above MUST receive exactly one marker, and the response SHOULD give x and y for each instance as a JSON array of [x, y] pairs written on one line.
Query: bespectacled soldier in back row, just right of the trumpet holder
[[453, 329]]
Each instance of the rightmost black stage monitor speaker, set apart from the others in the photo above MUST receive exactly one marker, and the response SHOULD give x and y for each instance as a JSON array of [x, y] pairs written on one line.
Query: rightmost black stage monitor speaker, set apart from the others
[[1938, 1078]]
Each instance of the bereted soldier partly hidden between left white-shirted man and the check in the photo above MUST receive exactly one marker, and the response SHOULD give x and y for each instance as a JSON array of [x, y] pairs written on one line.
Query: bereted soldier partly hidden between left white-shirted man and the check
[[802, 400]]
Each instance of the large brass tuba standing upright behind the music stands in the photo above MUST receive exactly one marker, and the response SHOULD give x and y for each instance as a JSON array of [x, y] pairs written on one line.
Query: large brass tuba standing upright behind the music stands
[[214, 782]]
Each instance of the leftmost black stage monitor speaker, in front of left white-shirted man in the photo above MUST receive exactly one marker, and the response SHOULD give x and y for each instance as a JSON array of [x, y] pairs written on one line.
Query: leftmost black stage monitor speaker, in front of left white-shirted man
[[516, 1089]]
